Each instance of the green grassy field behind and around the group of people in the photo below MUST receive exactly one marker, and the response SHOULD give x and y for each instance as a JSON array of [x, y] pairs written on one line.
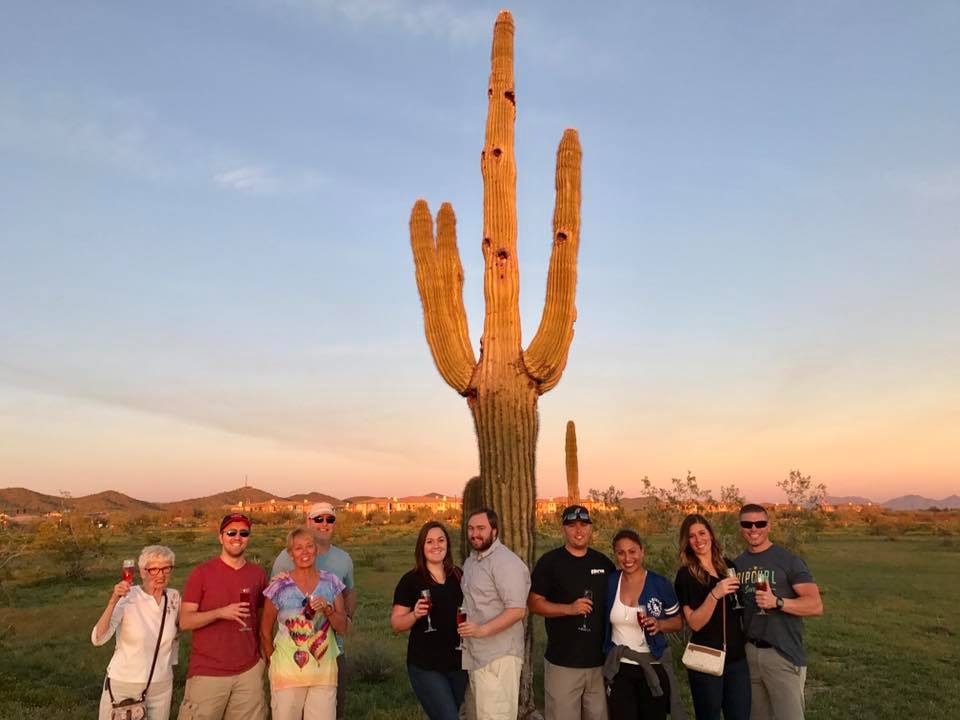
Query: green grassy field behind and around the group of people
[[886, 647]]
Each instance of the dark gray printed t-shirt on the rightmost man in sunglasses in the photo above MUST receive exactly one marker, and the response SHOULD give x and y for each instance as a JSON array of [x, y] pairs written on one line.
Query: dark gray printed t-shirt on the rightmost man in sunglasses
[[782, 630]]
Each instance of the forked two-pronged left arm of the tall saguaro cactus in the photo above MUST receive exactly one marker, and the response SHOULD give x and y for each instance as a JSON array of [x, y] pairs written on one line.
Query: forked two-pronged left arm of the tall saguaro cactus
[[440, 283]]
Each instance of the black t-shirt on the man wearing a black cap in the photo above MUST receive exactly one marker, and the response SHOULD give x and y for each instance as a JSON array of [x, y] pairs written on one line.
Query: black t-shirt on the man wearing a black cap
[[561, 578]]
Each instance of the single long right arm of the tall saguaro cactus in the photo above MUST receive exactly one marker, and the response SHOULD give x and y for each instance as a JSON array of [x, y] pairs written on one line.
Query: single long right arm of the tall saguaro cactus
[[546, 356]]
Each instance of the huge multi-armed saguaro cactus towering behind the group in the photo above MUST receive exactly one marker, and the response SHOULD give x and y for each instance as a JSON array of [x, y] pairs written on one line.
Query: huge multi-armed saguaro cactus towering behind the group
[[502, 388]]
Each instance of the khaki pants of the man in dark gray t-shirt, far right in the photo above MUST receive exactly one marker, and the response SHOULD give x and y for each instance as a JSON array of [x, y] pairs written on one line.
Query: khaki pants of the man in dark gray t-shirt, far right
[[776, 685]]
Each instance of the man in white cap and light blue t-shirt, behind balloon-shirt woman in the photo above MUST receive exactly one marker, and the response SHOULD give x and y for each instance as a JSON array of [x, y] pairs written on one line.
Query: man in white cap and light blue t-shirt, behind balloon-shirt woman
[[321, 518]]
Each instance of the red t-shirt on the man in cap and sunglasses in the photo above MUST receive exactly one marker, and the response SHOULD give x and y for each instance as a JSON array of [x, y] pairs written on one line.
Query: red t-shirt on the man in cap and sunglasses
[[221, 648]]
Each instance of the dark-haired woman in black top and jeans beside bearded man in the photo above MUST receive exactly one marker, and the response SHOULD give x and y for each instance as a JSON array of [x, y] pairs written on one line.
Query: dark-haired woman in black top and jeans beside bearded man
[[433, 657]]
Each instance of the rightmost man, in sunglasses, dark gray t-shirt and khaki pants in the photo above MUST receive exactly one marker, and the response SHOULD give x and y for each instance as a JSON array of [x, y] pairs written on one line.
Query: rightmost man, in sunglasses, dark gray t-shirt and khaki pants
[[774, 618]]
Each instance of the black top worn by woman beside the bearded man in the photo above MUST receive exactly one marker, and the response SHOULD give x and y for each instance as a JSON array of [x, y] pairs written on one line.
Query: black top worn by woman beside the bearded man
[[432, 651]]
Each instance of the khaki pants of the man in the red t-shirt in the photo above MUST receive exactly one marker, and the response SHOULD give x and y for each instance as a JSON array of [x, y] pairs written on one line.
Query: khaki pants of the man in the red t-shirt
[[231, 697]]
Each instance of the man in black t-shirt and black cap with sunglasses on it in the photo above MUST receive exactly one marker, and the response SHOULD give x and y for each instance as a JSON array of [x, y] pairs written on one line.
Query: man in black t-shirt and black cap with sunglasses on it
[[569, 588]]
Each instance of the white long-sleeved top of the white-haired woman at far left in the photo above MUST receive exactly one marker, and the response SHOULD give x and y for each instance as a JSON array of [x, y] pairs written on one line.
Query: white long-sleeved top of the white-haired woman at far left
[[137, 616]]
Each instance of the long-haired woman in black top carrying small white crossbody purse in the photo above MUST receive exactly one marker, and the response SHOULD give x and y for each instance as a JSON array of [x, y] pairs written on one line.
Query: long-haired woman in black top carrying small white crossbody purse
[[706, 593]]
